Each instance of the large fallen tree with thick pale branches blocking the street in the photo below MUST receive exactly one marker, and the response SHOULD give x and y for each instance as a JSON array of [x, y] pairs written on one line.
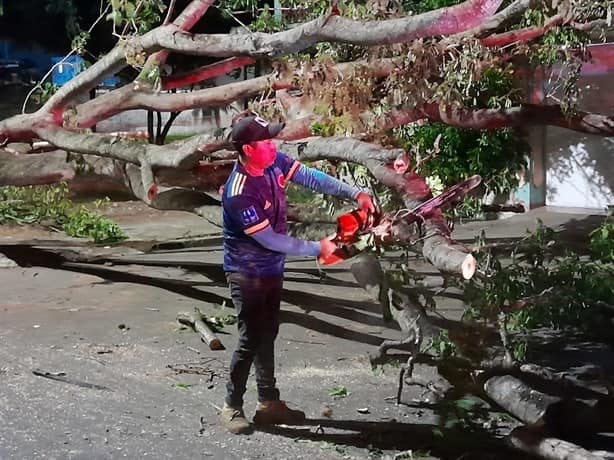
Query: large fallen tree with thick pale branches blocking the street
[[345, 84]]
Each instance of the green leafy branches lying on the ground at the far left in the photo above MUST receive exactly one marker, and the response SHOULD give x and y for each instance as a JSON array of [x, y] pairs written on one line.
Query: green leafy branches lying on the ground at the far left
[[48, 205]]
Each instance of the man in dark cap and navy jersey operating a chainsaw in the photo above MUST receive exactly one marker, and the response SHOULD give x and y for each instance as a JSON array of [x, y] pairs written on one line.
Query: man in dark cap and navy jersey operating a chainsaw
[[255, 245]]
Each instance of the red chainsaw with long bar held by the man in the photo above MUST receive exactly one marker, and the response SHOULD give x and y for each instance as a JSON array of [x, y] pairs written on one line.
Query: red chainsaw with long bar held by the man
[[352, 225]]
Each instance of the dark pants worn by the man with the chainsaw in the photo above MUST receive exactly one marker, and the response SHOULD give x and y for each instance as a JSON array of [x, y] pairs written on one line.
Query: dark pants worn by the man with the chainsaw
[[256, 300]]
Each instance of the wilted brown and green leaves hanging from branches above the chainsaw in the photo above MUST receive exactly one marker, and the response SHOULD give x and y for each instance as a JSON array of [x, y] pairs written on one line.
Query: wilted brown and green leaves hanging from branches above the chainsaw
[[496, 155]]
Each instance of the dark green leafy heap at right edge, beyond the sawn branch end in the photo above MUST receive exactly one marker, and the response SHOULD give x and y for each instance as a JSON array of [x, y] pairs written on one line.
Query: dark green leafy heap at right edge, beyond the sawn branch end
[[543, 285]]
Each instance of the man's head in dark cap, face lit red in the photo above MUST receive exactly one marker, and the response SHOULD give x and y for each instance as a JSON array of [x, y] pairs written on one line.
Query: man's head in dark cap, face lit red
[[251, 137]]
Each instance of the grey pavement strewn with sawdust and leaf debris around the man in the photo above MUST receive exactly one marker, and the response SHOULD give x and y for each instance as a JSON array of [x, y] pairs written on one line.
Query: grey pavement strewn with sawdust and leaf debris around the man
[[93, 364]]
